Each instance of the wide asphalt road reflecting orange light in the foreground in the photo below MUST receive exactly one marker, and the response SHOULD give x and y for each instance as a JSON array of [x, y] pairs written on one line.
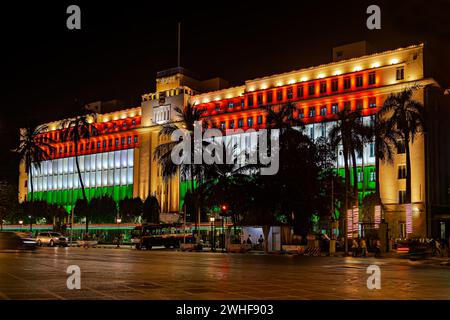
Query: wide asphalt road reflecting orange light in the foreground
[[166, 274]]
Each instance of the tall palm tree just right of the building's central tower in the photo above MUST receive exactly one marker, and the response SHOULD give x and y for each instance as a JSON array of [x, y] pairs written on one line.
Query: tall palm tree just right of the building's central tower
[[188, 118]]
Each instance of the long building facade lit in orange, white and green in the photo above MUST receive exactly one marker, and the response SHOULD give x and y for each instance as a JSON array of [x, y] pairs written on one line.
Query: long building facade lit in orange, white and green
[[120, 160]]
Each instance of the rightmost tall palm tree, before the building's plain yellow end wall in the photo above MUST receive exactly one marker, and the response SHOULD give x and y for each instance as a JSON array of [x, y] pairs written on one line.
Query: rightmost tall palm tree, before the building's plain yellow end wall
[[405, 117]]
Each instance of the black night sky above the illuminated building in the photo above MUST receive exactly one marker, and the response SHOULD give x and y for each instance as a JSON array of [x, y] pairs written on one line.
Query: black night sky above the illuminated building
[[47, 68]]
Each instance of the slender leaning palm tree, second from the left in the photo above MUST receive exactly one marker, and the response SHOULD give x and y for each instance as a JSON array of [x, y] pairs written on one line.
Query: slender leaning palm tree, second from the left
[[74, 130]]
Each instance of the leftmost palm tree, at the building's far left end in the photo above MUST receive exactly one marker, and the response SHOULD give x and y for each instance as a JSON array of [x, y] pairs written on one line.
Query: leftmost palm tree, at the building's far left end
[[33, 149]]
